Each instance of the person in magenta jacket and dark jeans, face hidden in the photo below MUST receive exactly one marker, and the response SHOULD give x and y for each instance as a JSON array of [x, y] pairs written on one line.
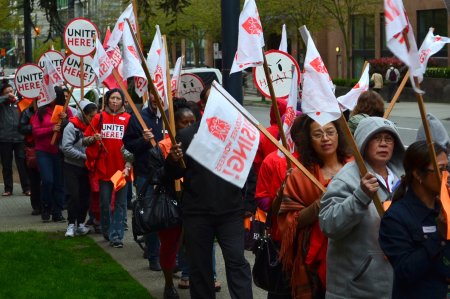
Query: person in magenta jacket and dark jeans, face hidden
[[48, 157]]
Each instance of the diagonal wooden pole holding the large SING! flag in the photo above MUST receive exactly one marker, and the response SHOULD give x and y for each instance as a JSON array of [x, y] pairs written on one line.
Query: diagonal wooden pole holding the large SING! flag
[[272, 139]]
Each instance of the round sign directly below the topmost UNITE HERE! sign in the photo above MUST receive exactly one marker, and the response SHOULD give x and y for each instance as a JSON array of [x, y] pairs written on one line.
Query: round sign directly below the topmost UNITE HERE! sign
[[71, 70]]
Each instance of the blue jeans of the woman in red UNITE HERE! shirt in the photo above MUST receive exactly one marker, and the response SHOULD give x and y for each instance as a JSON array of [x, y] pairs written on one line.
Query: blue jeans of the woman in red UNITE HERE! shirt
[[112, 223]]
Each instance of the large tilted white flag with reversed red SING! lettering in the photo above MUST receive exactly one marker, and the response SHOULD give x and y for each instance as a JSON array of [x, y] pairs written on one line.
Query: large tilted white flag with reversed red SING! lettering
[[226, 137]]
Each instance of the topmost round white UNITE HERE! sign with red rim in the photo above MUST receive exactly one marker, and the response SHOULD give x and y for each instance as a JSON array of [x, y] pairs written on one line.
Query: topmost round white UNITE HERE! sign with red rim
[[79, 36]]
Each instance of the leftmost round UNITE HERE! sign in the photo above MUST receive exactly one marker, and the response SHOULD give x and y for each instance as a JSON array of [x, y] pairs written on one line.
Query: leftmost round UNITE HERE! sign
[[28, 80]]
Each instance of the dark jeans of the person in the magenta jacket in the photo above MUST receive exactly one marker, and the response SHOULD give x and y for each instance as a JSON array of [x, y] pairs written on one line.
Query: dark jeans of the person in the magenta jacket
[[52, 186]]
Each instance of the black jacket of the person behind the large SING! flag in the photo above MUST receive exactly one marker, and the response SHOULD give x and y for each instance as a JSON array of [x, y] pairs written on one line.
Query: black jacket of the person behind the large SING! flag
[[204, 193]]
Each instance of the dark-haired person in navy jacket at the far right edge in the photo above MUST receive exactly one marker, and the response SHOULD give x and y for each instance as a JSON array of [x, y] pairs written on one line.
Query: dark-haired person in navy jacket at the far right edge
[[413, 231]]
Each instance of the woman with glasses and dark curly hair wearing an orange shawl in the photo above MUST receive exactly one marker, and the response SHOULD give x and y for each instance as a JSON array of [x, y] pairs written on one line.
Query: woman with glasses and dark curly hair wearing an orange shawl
[[303, 250]]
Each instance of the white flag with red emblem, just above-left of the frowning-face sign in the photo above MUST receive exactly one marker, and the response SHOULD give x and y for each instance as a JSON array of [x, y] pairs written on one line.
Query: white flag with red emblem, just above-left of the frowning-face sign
[[250, 40]]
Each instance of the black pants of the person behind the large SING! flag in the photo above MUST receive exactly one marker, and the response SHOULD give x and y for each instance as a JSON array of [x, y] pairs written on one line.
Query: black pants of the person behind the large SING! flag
[[200, 232]]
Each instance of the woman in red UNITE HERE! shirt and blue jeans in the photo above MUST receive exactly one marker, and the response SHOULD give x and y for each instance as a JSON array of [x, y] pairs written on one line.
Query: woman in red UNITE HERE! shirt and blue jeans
[[110, 126]]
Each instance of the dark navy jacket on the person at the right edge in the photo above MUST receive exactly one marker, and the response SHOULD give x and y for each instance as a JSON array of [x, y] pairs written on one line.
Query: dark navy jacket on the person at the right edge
[[419, 255]]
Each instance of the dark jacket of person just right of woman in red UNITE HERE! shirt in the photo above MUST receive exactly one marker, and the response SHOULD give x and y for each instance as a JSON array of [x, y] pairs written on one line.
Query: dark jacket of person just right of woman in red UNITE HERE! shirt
[[135, 143]]
